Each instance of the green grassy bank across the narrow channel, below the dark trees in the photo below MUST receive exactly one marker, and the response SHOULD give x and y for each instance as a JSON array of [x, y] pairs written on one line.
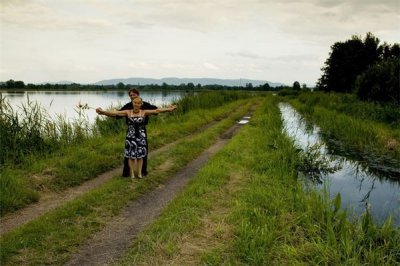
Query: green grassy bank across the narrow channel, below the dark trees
[[366, 132]]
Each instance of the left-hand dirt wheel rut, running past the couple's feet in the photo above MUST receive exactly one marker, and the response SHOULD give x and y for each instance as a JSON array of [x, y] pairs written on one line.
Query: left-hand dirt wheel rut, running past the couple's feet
[[52, 200]]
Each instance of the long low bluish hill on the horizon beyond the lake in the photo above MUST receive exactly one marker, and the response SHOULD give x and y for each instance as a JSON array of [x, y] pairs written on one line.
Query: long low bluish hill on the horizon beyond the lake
[[195, 81]]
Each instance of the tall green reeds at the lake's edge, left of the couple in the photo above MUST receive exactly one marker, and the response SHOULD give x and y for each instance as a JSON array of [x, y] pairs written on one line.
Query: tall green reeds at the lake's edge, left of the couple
[[30, 130]]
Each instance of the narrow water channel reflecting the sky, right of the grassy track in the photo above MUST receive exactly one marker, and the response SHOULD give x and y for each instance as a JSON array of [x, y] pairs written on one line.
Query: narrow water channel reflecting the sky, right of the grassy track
[[360, 188]]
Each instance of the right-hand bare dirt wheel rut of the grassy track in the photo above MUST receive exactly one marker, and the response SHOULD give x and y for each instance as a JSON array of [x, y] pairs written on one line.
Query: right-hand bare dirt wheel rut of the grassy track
[[108, 245]]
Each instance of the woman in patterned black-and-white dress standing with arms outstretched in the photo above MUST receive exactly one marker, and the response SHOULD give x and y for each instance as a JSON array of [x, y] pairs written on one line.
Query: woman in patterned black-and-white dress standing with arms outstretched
[[136, 140]]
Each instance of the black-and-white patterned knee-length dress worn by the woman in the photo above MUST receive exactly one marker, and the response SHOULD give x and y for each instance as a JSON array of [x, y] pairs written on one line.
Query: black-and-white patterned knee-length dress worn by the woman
[[136, 140]]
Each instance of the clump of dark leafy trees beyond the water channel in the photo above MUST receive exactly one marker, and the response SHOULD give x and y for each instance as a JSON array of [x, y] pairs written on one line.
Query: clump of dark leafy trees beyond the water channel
[[365, 67]]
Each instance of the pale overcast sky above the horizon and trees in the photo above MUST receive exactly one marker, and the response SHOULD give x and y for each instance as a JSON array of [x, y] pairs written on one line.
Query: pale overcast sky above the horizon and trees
[[85, 41]]
